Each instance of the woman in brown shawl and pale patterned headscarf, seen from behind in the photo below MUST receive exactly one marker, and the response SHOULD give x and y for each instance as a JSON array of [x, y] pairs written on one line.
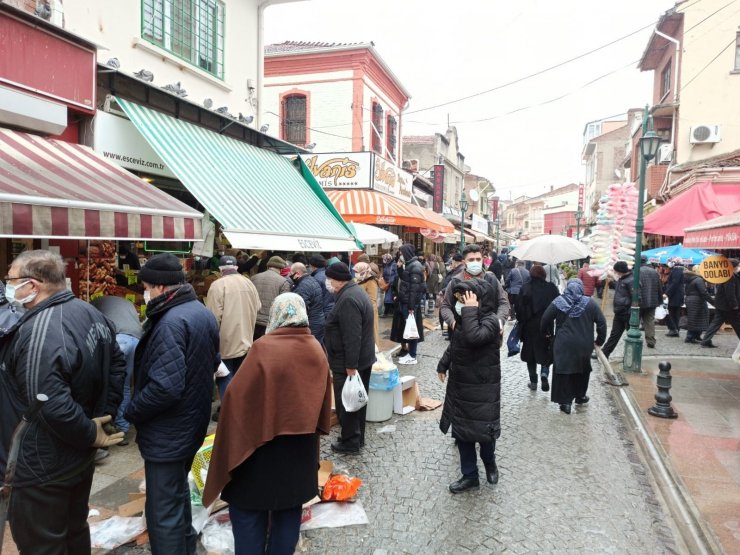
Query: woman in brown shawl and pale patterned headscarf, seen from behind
[[265, 457]]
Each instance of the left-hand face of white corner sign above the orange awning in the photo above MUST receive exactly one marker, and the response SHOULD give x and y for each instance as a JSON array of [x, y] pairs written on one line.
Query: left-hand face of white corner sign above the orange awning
[[341, 170]]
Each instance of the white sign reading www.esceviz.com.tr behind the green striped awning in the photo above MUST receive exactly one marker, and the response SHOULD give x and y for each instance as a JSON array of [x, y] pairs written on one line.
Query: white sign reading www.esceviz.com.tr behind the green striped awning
[[117, 140]]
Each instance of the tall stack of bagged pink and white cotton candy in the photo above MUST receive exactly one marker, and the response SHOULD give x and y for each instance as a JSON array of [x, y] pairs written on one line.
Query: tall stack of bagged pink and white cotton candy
[[613, 236]]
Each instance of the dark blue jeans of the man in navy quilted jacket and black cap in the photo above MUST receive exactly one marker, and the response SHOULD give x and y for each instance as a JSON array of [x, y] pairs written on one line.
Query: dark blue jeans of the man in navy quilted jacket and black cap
[[168, 516]]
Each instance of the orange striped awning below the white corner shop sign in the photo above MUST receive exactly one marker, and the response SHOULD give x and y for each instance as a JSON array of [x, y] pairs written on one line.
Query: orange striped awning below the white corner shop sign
[[366, 206]]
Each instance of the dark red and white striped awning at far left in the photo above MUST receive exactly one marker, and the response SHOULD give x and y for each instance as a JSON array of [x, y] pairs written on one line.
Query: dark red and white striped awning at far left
[[54, 189]]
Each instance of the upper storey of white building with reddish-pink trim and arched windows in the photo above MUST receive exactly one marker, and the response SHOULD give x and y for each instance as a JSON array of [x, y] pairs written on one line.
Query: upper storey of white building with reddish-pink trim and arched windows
[[334, 97]]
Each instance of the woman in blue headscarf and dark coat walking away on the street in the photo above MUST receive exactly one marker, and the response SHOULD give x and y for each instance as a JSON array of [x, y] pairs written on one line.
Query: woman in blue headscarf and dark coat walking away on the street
[[575, 316]]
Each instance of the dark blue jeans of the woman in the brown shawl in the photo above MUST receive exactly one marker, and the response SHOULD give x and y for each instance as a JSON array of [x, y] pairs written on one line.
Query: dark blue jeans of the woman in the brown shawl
[[250, 531]]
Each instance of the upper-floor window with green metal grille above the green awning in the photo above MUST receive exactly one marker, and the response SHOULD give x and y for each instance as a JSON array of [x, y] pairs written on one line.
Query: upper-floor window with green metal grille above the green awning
[[192, 30]]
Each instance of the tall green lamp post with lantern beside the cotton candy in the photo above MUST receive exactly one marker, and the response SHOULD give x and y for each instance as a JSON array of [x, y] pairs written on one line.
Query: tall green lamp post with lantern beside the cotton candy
[[649, 143]]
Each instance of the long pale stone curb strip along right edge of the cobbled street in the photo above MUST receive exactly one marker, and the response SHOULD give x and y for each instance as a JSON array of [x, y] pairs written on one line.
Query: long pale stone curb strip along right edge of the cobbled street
[[697, 536]]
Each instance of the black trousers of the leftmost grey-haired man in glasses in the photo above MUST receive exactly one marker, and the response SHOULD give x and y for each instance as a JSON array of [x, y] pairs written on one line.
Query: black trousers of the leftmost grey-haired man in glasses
[[51, 519]]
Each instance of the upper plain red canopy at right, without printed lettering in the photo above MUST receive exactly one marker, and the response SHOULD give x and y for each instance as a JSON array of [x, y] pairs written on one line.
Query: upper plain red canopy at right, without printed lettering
[[702, 202]]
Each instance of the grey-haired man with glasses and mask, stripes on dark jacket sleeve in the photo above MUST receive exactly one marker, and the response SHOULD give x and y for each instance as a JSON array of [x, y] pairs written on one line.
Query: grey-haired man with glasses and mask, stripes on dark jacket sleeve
[[64, 348]]
